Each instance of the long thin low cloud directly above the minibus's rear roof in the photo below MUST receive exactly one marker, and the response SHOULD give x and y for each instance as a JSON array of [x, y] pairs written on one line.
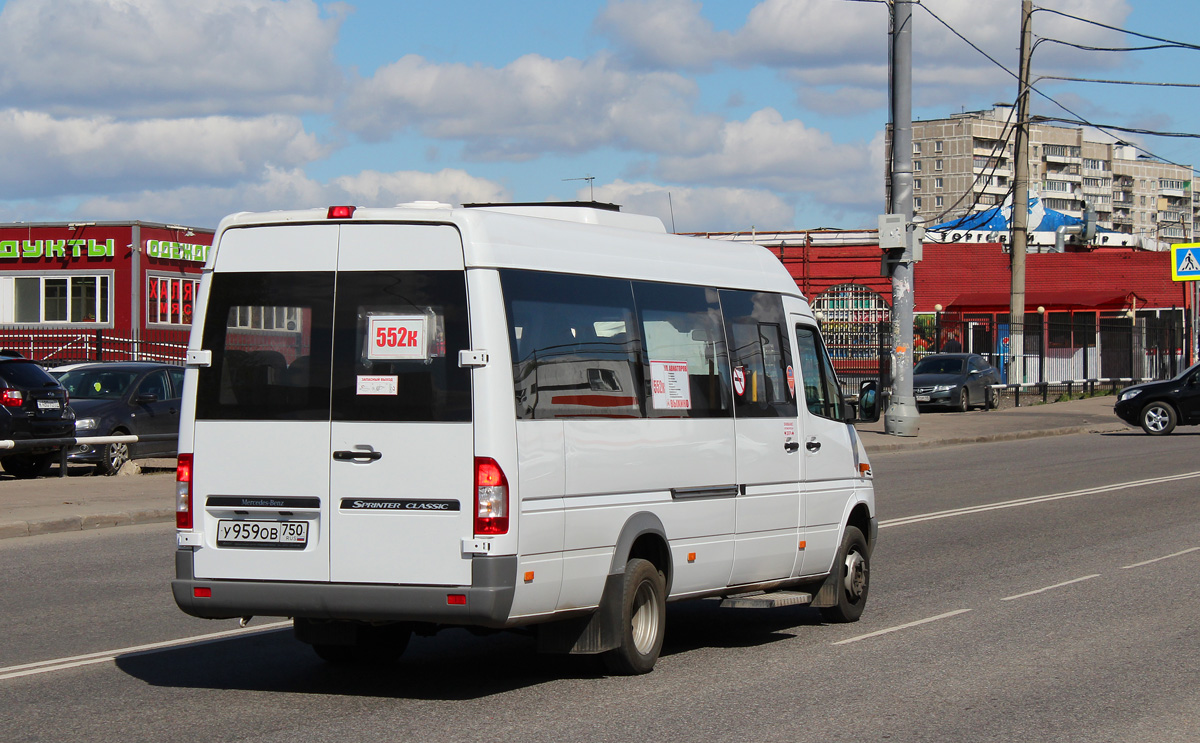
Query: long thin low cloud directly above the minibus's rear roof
[[292, 189]]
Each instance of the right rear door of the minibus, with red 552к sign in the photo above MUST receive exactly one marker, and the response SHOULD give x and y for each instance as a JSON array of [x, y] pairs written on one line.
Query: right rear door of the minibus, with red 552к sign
[[401, 441]]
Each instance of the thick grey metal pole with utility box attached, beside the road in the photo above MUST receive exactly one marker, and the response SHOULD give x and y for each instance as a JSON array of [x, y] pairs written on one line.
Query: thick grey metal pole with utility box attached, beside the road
[[902, 417]]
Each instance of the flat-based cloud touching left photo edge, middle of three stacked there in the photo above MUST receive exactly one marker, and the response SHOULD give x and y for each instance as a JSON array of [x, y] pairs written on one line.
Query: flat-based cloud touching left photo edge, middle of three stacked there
[[43, 155]]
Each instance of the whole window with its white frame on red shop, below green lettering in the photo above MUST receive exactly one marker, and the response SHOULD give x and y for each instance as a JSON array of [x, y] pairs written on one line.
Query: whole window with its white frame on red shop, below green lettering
[[64, 299]]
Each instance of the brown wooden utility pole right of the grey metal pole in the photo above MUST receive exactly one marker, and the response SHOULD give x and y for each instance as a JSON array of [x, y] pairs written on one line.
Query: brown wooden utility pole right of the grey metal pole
[[1021, 206]]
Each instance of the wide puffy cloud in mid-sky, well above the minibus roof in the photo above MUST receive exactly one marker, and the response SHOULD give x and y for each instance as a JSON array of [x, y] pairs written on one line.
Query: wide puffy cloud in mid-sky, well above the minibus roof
[[532, 106]]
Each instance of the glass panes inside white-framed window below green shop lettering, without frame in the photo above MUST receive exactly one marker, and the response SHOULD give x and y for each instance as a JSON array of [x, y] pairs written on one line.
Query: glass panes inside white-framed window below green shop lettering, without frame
[[61, 299]]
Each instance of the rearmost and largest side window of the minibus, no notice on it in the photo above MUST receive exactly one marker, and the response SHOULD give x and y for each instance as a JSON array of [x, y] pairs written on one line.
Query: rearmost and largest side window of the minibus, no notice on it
[[577, 347]]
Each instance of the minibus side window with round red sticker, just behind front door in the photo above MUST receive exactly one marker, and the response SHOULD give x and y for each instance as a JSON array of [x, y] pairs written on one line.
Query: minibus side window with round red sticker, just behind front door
[[759, 353]]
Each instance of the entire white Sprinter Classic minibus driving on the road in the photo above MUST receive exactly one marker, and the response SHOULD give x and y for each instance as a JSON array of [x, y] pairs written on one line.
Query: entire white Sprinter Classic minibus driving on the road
[[399, 421]]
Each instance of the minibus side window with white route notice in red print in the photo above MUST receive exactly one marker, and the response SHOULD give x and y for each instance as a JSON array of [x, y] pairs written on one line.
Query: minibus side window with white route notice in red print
[[686, 363]]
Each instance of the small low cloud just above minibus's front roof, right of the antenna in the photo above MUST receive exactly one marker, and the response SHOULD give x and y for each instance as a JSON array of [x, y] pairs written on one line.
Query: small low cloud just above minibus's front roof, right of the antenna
[[699, 209]]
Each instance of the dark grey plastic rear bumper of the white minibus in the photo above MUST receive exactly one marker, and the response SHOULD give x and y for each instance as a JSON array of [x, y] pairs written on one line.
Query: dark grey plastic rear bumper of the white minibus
[[489, 600]]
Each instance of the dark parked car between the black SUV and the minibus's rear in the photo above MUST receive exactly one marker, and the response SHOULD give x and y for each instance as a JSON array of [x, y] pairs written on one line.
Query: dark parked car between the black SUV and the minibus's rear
[[122, 398]]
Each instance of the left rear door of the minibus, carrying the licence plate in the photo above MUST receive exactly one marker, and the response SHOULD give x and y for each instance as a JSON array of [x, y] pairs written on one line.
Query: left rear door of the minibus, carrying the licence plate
[[261, 442]]
